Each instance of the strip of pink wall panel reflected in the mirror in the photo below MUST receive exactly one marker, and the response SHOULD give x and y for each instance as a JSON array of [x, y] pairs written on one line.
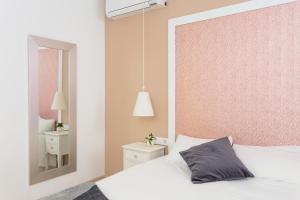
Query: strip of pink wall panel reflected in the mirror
[[48, 81]]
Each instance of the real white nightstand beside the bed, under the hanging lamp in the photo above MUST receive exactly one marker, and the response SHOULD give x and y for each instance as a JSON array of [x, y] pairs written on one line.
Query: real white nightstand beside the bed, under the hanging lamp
[[140, 152]]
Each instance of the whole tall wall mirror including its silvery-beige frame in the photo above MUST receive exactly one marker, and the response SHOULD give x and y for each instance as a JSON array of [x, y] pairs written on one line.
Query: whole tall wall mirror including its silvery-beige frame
[[52, 108]]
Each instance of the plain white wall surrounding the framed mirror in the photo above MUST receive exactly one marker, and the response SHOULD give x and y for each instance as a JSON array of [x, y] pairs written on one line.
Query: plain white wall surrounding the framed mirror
[[76, 21]]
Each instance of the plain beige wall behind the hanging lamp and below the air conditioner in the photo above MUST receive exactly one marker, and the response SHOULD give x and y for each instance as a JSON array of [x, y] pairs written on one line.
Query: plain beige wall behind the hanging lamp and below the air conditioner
[[123, 74]]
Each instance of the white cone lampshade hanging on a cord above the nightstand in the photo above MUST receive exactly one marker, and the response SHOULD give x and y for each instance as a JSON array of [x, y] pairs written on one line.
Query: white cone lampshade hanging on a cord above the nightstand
[[143, 106]]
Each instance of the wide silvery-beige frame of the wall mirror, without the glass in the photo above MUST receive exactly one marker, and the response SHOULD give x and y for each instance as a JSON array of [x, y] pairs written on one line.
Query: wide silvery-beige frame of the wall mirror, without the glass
[[34, 42]]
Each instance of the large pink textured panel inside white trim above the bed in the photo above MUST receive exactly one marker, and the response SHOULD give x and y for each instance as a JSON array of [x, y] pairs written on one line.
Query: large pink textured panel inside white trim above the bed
[[239, 75]]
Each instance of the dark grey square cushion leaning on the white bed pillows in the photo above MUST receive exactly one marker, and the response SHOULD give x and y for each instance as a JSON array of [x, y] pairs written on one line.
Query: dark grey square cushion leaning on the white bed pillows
[[214, 161]]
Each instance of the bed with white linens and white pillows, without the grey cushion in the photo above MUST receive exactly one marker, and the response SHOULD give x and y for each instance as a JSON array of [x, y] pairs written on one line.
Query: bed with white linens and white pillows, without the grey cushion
[[276, 171]]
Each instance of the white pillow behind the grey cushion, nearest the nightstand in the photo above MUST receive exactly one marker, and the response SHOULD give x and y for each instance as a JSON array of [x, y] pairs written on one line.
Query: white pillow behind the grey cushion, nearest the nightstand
[[183, 143]]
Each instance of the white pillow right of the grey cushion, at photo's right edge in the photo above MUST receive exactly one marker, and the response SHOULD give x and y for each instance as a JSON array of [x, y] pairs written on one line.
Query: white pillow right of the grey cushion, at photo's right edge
[[279, 163]]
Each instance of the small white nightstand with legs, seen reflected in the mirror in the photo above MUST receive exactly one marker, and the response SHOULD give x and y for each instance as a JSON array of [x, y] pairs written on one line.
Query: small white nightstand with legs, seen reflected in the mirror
[[57, 143]]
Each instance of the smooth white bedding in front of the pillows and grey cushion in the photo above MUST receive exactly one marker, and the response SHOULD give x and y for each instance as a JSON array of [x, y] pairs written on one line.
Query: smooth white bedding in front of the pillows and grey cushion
[[161, 180]]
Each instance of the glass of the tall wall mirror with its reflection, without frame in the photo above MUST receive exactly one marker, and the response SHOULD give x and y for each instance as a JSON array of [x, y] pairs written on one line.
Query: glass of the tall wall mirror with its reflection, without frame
[[53, 113]]
